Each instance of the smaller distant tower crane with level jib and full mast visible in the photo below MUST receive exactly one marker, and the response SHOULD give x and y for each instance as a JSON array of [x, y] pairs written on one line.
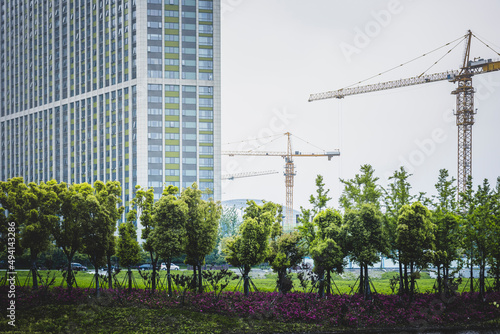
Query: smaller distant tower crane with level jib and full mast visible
[[289, 170]]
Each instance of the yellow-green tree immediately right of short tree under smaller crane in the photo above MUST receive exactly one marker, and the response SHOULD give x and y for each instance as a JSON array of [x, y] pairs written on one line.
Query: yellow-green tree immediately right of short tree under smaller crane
[[328, 247]]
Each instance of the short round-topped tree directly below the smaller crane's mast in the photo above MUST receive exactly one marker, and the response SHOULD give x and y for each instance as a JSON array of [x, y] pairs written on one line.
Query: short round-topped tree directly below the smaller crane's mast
[[285, 252]]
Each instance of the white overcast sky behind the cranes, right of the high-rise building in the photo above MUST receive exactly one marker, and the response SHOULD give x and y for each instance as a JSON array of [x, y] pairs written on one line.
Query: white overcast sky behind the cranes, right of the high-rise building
[[276, 52]]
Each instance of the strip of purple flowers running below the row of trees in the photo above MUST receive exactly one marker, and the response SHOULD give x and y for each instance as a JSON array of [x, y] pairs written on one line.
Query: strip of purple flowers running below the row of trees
[[426, 310]]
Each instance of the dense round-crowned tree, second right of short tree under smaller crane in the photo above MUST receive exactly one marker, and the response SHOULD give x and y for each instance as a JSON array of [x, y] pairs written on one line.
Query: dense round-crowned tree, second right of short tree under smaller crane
[[365, 240]]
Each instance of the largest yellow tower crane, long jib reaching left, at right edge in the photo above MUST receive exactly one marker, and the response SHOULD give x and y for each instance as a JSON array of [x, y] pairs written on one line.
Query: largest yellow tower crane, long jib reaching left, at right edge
[[464, 99]]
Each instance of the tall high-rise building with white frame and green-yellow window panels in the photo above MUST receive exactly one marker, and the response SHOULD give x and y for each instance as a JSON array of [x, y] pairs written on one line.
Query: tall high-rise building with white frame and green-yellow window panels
[[125, 90]]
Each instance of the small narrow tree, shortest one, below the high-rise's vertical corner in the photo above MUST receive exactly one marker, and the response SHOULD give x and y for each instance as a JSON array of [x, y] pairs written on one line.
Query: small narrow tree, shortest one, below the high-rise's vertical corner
[[128, 249]]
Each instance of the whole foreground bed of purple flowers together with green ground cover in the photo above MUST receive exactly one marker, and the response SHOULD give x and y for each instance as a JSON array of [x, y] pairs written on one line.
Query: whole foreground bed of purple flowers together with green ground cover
[[57, 310]]
